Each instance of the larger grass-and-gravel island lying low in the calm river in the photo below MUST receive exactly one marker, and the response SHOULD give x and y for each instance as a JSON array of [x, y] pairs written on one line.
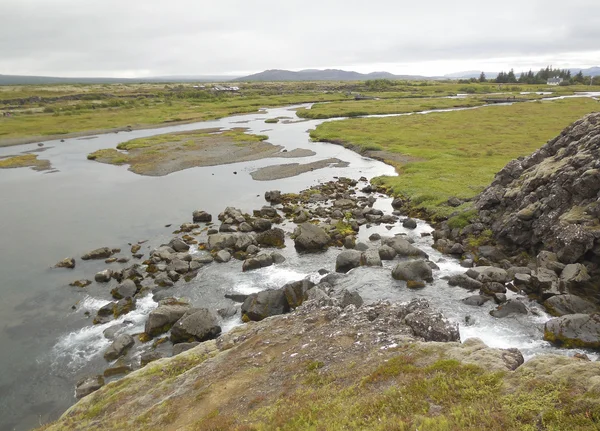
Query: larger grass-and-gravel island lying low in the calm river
[[163, 154]]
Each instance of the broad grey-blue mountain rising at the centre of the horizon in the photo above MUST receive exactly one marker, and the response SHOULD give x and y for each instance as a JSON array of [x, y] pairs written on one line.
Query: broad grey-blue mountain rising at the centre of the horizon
[[321, 75]]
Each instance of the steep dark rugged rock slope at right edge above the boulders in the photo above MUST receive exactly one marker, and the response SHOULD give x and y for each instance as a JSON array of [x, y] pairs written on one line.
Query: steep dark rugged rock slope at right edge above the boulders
[[549, 199]]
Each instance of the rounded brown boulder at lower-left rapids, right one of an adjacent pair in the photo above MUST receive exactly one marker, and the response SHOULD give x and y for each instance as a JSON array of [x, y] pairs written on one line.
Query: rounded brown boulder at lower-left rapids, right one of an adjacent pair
[[197, 324]]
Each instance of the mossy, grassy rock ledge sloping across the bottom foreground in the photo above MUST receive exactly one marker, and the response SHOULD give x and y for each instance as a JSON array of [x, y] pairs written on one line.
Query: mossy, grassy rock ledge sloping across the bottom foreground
[[342, 369]]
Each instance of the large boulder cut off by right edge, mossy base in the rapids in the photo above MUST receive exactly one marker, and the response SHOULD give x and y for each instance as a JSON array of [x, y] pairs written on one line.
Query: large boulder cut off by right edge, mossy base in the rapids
[[574, 331]]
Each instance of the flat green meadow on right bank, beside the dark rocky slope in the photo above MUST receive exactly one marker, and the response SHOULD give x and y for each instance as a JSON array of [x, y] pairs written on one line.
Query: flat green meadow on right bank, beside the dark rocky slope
[[459, 152]]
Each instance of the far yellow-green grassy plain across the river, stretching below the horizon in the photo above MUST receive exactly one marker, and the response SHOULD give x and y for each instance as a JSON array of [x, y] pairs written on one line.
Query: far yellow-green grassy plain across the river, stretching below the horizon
[[54, 110]]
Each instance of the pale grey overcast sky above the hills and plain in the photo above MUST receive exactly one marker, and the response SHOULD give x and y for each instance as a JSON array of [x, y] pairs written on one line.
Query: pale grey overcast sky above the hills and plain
[[137, 38]]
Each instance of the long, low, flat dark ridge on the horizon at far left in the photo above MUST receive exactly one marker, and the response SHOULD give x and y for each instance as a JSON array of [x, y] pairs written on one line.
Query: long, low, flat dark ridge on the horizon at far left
[[39, 80]]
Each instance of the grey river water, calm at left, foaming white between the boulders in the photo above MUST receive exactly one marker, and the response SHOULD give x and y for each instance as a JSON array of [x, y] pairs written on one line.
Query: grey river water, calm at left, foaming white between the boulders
[[47, 341]]
